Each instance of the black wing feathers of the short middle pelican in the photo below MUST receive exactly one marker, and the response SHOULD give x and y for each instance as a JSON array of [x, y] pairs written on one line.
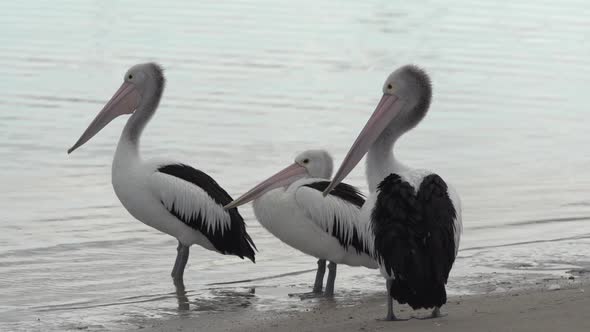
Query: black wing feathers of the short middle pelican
[[352, 195]]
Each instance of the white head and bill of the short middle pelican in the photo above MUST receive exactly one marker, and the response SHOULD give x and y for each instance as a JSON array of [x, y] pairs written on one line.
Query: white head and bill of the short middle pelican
[[308, 164]]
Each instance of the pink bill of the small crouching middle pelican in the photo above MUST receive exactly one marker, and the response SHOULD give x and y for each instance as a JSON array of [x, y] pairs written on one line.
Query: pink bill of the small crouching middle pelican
[[283, 178]]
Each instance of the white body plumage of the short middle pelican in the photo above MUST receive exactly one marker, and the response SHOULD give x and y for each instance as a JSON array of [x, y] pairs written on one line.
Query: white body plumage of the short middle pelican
[[303, 219]]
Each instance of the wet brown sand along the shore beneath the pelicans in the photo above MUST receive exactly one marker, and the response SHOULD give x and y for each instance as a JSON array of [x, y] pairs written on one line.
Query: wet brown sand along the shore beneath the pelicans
[[548, 308]]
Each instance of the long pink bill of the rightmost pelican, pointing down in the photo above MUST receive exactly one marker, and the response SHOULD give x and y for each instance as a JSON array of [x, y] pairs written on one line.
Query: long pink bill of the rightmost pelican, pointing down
[[389, 106]]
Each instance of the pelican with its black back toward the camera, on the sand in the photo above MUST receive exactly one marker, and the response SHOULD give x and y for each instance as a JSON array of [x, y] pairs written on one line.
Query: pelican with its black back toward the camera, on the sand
[[415, 216]]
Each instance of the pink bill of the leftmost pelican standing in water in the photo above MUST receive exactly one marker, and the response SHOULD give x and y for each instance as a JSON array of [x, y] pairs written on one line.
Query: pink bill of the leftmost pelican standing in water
[[124, 101]]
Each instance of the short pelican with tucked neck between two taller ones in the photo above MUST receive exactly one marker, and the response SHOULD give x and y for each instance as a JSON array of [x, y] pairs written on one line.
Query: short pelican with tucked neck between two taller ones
[[290, 205]]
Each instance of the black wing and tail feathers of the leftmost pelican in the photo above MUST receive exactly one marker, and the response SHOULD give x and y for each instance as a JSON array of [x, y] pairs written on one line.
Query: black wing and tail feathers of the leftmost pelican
[[235, 240]]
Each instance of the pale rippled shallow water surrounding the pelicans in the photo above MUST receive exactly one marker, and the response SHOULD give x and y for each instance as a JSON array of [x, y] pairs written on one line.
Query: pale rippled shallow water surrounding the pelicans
[[250, 84]]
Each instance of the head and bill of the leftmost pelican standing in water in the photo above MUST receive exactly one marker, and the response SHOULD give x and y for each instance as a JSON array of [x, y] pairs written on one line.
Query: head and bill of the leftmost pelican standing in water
[[142, 87]]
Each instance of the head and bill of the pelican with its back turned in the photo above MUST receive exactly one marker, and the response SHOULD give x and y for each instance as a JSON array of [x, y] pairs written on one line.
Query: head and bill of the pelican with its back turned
[[407, 93]]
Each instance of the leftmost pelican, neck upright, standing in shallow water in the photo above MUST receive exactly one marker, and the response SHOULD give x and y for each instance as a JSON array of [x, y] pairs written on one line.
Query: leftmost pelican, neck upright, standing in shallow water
[[169, 196]]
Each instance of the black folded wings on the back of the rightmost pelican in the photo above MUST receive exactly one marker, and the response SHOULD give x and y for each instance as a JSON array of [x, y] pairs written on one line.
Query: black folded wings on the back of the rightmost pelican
[[414, 238]]
